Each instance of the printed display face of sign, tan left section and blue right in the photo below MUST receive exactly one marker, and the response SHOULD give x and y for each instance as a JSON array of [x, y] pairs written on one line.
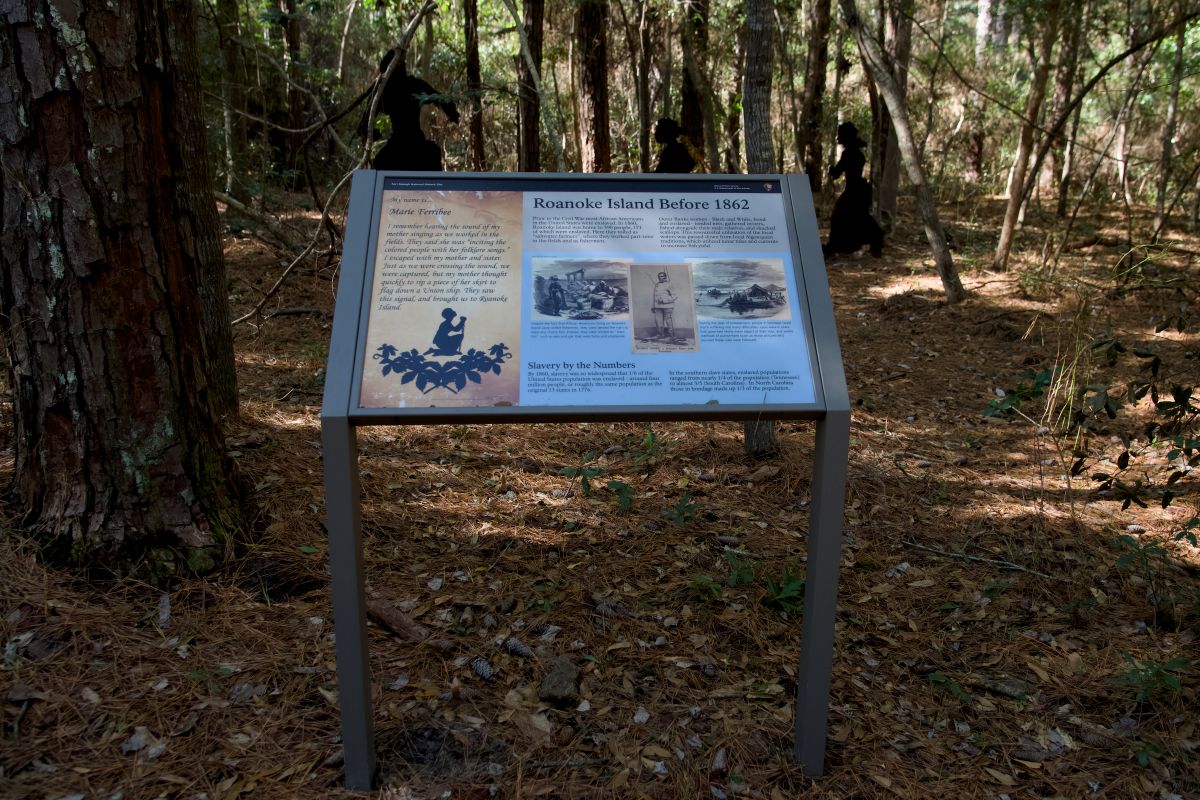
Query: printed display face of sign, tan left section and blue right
[[553, 293]]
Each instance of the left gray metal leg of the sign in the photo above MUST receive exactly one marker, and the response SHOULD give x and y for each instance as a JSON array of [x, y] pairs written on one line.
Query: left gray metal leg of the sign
[[344, 521]]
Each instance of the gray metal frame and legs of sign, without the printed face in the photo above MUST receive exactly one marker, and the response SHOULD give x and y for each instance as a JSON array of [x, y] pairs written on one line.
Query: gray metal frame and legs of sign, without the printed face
[[340, 418]]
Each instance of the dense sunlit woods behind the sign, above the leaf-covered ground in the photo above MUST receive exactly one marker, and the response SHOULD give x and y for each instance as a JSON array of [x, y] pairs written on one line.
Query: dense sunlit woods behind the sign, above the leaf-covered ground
[[1093, 94]]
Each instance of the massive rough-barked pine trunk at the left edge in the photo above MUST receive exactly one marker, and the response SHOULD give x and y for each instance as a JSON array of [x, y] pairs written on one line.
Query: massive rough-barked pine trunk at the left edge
[[109, 238]]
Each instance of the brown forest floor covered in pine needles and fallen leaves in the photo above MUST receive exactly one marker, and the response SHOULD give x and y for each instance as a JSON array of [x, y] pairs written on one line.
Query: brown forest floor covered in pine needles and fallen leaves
[[1004, 630]]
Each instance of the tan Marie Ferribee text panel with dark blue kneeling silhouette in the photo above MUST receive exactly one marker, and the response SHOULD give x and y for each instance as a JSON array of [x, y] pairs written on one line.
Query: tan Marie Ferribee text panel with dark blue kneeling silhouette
[[443, 327]]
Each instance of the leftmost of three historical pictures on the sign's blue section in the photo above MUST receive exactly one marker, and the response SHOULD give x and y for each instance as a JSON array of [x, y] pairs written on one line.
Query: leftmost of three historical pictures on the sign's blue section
[[578, 288]]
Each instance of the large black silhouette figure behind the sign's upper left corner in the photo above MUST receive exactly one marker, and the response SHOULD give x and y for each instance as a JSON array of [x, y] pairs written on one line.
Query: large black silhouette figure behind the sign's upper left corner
[[403, 100]]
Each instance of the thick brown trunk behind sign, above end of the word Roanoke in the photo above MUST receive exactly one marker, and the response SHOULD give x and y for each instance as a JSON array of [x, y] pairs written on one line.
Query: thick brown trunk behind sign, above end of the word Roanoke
[[592, 40]]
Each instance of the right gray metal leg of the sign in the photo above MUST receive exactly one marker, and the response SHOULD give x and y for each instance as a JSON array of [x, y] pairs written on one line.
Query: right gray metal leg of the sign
[[821, 591]]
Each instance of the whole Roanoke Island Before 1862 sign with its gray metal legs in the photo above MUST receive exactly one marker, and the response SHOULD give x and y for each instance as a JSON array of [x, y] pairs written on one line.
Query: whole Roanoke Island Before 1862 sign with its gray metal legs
[[487, 298]]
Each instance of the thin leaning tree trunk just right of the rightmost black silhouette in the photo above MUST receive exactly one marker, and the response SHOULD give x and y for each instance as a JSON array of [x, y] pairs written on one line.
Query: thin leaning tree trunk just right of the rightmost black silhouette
[[873, 57]]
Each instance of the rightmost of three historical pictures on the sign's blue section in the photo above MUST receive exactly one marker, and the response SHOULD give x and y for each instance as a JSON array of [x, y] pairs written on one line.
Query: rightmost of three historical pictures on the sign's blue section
[[743, 288]]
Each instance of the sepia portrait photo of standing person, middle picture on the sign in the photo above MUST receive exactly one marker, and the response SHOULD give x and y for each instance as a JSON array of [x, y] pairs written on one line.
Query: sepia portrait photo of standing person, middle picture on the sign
[[663, 309]]
